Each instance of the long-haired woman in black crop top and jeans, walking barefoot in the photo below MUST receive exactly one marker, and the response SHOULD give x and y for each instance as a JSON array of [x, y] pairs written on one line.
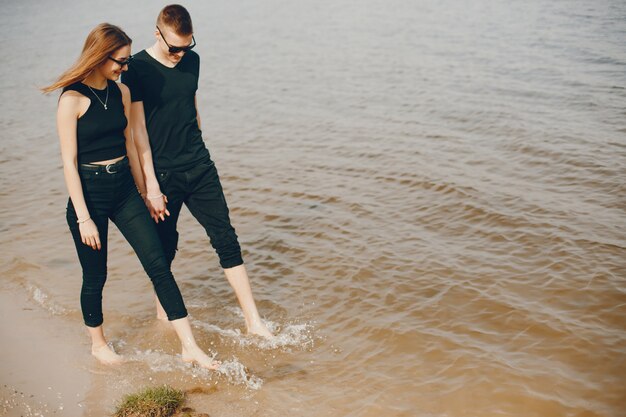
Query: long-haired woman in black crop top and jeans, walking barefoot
[[98, 160]]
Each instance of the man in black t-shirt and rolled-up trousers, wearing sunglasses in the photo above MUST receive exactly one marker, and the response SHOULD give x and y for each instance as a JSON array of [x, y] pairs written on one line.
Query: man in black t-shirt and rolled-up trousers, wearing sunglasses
[[176, 164]]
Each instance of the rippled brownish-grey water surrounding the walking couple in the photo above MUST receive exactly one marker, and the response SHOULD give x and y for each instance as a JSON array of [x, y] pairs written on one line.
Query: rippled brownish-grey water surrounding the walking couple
[[430, 196]]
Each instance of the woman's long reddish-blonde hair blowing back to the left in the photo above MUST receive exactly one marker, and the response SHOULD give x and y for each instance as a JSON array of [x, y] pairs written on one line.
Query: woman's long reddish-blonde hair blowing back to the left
[[101, 42]]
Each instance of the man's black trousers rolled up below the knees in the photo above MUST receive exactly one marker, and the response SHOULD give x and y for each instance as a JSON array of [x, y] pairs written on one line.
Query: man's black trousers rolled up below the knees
[[199, 188]]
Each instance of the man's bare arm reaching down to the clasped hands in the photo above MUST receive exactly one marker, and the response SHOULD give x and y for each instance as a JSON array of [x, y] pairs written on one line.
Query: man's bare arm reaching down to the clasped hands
[[155, 200]]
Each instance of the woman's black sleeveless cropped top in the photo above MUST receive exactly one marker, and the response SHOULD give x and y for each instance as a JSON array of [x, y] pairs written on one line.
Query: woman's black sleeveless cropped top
[[100, 131]]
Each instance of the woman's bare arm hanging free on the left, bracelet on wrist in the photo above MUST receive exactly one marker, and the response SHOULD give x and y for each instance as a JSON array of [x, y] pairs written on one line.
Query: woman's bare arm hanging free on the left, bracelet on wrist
[[67, 116]]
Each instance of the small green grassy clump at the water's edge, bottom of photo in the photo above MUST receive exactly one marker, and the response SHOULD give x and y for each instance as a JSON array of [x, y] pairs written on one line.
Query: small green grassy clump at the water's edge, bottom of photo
[[162, 401]]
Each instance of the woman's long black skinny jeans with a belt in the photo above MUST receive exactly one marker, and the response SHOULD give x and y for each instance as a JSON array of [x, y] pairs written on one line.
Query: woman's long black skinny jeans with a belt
[[110, 193]]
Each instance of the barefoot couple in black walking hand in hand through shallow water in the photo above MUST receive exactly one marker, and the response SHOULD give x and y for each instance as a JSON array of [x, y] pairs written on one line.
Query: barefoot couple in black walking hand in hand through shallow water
[[133, 151]]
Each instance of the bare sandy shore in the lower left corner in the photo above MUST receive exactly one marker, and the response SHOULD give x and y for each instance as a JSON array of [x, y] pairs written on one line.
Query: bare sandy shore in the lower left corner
[[45, 363]]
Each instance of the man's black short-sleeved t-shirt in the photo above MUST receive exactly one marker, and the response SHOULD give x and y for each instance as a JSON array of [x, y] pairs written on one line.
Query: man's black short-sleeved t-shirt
[[168, 96]]
